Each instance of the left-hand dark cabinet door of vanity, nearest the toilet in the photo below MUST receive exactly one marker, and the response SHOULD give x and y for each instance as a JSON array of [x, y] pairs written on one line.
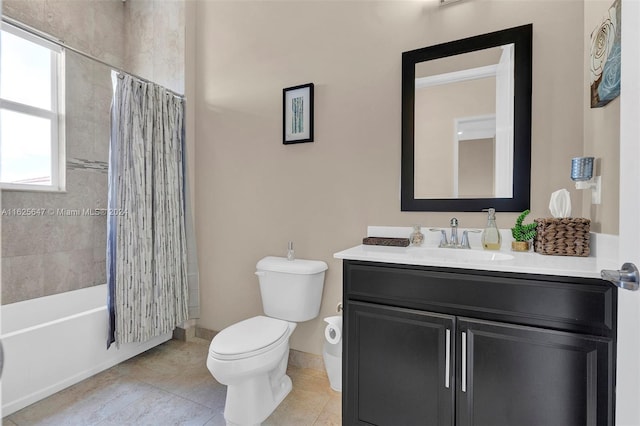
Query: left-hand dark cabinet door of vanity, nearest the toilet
[[398, 367]]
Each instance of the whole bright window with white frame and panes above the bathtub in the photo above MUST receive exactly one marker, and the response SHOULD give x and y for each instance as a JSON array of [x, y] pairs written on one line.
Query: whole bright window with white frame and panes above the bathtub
[[31, 112]]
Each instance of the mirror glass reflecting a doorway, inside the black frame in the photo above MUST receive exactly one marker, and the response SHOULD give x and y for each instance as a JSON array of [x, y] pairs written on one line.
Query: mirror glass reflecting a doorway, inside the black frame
[[464, 104]]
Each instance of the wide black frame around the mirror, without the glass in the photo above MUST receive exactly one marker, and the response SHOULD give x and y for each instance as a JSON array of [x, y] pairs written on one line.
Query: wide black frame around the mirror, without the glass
[[522, 38]]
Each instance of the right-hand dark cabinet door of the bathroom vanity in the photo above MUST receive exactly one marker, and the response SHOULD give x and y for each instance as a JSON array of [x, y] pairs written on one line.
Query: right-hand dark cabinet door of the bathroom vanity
[[526, 376]]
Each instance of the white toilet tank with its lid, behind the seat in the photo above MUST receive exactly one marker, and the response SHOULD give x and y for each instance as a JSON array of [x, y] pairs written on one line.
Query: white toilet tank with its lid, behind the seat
[[291, 290]]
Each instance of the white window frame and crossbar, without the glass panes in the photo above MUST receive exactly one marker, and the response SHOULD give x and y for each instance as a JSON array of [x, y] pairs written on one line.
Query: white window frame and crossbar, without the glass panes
[[55, 115]]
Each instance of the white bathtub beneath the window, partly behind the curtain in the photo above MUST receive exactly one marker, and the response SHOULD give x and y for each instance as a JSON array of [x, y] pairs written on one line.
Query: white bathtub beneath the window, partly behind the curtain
[[55, 341]]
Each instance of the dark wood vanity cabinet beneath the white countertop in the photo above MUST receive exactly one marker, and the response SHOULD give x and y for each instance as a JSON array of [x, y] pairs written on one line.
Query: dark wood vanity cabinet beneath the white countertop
[[442, 346]]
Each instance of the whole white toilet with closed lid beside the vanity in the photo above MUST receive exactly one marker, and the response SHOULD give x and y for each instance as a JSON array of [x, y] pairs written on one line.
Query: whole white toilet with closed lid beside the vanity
[[251, 356]]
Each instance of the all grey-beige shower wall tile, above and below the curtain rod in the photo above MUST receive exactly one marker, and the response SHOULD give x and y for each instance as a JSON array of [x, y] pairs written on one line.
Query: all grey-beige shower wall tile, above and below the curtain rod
[[65, 249]]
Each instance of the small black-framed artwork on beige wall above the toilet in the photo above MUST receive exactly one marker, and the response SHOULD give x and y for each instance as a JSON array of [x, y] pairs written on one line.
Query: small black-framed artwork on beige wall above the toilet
[[297, 114]]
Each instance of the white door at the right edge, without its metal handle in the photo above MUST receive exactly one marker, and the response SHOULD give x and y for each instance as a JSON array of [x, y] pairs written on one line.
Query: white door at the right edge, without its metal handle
[[628, 361]]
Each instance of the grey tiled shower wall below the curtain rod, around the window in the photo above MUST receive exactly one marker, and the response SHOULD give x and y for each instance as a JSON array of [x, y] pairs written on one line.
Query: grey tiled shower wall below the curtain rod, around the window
[[65, 248]]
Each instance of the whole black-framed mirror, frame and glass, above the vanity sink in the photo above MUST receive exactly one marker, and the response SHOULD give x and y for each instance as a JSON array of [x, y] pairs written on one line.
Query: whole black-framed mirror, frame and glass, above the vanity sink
[[466, 124]]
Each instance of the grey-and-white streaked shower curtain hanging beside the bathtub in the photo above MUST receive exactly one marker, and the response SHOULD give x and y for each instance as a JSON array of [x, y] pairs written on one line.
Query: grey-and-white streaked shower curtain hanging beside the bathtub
[[146, 237]]
